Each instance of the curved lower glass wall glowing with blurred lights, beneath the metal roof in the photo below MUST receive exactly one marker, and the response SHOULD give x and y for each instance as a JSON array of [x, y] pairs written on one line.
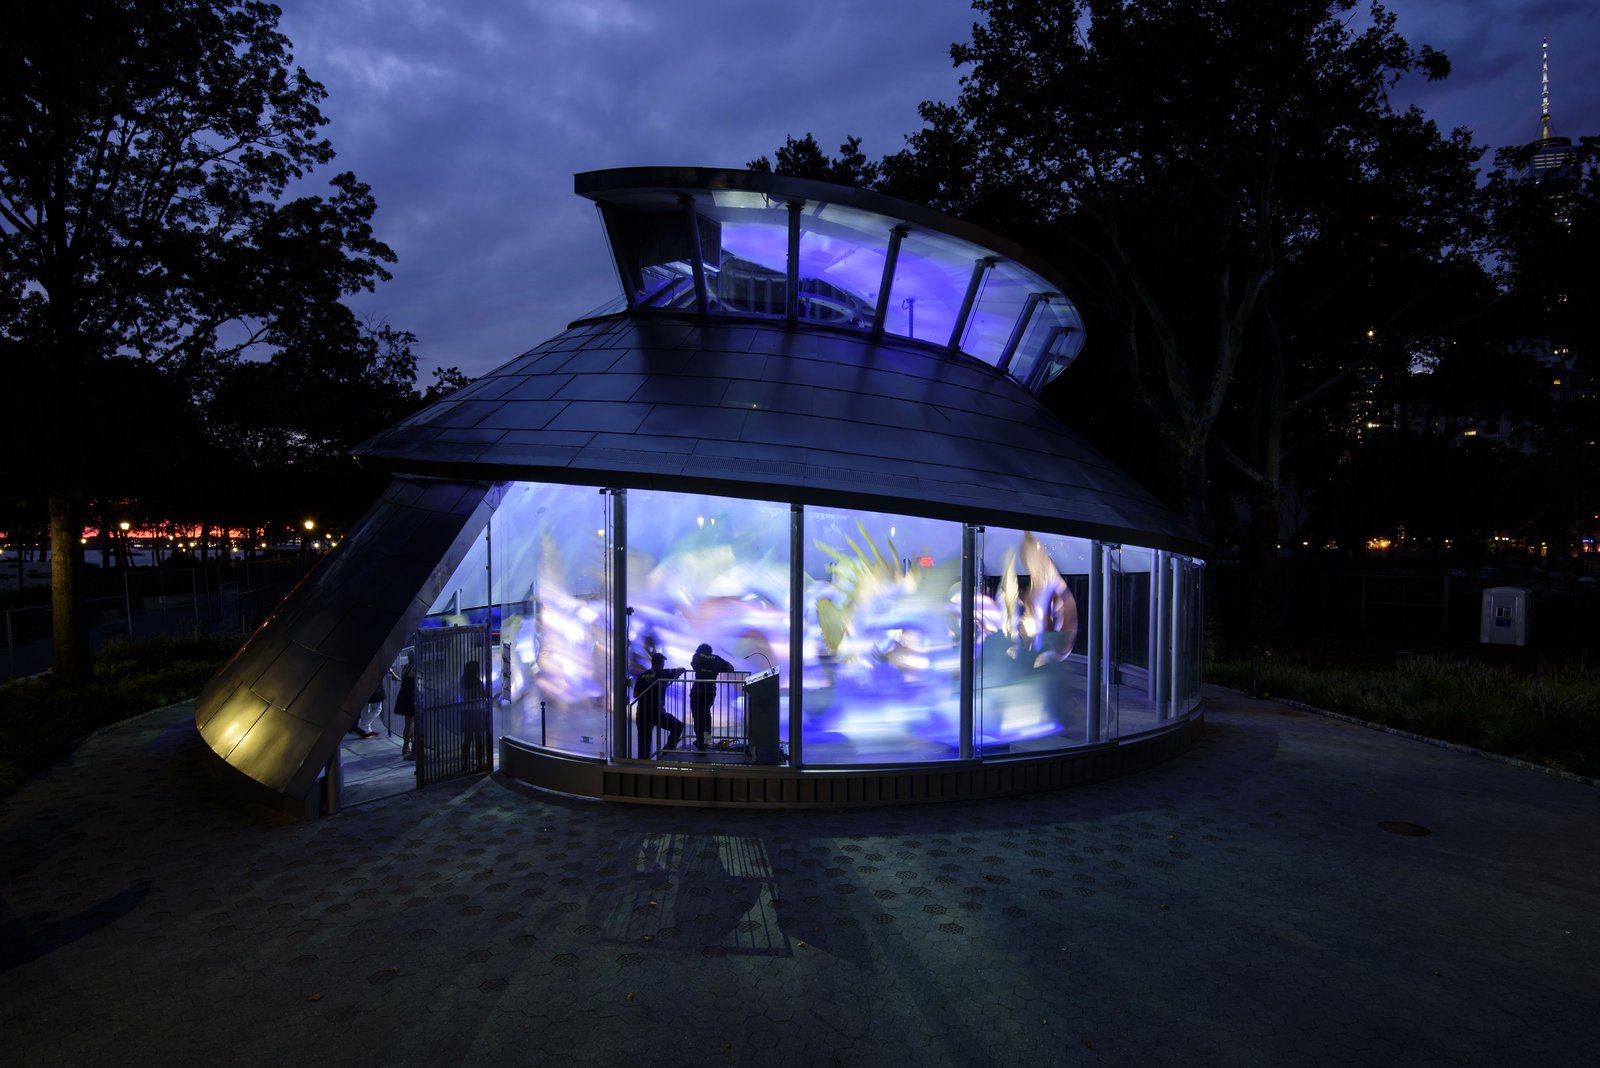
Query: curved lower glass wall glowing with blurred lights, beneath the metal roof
[[895, 639]]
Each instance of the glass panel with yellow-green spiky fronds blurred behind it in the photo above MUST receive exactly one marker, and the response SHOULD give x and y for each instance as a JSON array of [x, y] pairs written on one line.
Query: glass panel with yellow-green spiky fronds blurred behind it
[[882, 639]]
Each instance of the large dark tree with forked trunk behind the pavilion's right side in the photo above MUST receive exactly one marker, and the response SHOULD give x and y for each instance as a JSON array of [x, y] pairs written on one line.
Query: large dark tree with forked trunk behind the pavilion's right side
[[1257, 231]]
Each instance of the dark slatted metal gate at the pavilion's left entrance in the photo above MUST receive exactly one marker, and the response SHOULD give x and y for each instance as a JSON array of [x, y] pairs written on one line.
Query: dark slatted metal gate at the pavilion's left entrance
[[455, 722]]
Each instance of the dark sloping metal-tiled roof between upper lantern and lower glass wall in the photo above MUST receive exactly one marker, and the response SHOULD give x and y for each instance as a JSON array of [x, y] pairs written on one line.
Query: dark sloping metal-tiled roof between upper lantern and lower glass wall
[[762, 410]]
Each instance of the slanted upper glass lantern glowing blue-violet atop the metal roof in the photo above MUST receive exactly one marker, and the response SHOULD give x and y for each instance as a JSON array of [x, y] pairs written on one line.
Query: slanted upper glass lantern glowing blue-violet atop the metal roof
[[862, 261]]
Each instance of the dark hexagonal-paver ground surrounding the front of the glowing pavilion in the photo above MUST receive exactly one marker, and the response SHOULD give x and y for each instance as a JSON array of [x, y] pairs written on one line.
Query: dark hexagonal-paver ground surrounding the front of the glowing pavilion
[[1244, 904]]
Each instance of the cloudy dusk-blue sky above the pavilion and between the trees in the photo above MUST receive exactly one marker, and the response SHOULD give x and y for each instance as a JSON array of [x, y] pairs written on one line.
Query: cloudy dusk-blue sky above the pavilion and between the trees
[[470, 118]]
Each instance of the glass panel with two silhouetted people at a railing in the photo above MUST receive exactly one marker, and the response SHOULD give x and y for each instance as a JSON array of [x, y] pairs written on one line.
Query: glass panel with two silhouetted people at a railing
[[710, 572]]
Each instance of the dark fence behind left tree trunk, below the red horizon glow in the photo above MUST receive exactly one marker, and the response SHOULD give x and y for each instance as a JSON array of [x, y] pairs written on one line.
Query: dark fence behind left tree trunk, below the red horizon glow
[[158, 602]]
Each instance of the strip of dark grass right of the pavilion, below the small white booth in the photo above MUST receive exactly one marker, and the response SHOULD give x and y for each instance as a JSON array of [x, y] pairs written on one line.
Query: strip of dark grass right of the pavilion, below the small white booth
[[1551, 719]]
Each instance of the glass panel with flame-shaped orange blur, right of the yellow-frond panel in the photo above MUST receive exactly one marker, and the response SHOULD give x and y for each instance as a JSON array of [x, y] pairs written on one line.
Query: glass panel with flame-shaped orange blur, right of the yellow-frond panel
[[1031, 648]]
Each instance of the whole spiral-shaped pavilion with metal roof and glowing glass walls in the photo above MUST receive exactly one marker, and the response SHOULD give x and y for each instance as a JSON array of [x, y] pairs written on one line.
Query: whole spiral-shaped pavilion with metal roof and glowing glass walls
[[806, 437]]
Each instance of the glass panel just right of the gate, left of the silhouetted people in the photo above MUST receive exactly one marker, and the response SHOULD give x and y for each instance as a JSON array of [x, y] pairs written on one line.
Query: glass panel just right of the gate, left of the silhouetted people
[[551, 616]]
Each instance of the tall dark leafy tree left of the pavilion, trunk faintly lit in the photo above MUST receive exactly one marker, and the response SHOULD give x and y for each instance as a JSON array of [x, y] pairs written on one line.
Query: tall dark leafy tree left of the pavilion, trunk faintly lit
[[148, 157]]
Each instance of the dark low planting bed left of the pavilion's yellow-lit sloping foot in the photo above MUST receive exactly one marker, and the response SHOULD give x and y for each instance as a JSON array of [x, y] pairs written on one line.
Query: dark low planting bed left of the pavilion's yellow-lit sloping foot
[[41, 723]]
